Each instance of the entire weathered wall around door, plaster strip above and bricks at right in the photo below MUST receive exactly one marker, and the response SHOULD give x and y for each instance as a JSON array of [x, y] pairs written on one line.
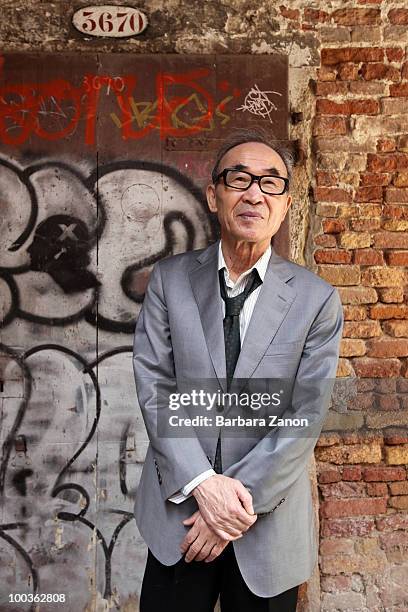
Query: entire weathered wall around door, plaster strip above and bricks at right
[[349, 91]]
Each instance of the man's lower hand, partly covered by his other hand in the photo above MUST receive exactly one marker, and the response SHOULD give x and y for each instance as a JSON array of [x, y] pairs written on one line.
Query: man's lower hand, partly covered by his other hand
[[201, 543]]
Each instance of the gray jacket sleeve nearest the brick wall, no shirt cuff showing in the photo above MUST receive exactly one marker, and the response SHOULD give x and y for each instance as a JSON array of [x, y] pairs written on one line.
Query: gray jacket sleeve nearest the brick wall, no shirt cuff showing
[[275, 463]]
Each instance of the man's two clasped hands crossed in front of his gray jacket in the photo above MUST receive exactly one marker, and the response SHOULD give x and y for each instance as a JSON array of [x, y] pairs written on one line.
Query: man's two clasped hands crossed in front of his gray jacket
[[225, 513]]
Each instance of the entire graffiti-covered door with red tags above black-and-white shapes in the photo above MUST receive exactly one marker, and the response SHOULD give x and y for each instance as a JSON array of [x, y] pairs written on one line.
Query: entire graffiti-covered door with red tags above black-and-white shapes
[[104, 159]]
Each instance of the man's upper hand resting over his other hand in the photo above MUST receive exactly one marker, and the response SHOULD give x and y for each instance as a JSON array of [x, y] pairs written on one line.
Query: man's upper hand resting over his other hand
[[225, 505]]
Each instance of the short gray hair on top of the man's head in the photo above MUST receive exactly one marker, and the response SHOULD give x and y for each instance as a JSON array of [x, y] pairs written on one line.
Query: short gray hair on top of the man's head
[[242, 136]]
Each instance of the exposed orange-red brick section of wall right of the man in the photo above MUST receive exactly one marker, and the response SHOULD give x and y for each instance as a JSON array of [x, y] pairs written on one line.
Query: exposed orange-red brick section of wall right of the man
[[361, 246]]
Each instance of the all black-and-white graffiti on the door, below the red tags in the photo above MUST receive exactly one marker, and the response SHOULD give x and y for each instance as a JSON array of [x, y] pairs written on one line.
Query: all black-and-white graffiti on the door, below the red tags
[[75, 261]]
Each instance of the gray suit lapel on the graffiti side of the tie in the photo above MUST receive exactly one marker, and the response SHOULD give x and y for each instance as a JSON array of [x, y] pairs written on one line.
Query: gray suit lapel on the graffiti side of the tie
[[205, 286]]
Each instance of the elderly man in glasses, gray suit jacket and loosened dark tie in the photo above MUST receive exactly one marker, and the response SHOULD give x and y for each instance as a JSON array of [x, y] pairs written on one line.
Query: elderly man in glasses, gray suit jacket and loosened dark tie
[[231, 516]]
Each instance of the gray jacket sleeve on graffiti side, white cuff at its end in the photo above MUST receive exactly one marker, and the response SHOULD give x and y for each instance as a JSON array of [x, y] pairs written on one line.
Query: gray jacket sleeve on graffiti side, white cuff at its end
[[178, 460]]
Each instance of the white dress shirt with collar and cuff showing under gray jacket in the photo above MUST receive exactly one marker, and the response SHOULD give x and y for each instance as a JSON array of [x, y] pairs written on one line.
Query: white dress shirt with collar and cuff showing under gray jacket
[[233, 289]]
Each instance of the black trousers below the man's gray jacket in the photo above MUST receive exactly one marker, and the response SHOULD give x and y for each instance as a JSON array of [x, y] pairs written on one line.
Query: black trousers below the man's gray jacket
[[184, 587]]
